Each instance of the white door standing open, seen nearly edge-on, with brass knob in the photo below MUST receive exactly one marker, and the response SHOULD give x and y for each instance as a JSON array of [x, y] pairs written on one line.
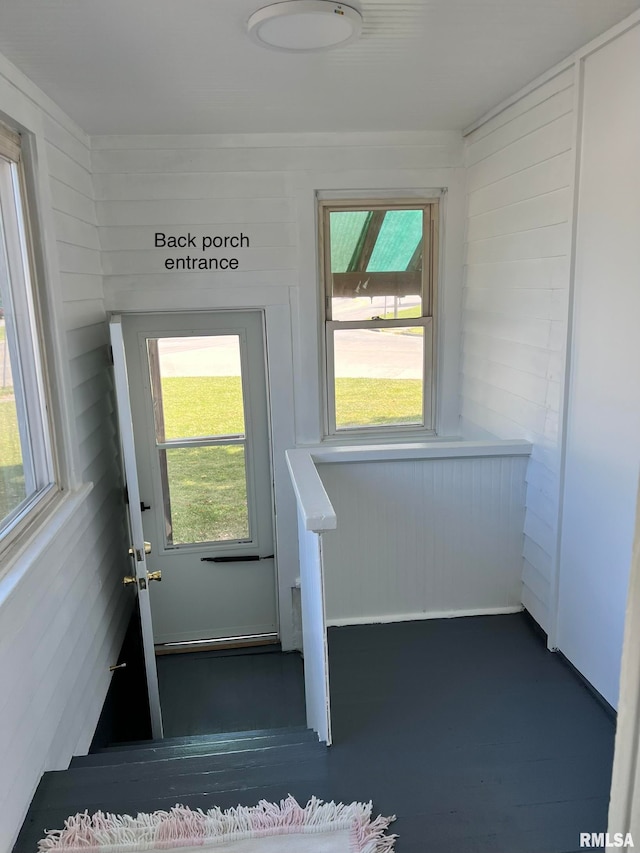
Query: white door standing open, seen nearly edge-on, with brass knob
[[139, 577]]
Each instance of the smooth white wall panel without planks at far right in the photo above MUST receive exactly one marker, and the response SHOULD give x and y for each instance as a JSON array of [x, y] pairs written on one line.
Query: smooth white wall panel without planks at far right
[[603, 424]]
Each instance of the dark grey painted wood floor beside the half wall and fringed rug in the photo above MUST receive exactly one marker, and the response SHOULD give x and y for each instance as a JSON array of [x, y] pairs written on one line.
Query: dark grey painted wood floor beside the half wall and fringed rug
[[476, 737]]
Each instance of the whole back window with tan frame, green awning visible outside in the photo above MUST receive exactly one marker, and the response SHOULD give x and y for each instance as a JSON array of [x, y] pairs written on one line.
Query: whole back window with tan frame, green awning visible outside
[[379, 272]]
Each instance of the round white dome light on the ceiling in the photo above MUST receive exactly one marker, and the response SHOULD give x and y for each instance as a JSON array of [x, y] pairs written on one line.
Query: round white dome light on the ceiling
[[301, 25]]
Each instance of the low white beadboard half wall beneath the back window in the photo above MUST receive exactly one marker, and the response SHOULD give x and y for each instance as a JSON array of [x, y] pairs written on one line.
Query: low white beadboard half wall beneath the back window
[[423, 538]]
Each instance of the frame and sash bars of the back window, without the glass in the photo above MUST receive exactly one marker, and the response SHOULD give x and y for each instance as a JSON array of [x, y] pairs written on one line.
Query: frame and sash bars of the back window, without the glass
[[431, 214]]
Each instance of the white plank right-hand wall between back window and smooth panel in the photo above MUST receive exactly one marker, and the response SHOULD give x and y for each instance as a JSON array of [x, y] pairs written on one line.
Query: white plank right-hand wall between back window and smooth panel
[[519, 185]]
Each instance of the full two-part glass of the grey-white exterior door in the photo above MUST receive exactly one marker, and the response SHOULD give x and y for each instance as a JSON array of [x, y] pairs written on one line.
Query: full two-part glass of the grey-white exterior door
[[197, 398]]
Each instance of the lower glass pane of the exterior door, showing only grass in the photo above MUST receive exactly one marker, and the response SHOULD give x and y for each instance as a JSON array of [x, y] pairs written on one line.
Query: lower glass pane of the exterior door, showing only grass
[[207, 494]]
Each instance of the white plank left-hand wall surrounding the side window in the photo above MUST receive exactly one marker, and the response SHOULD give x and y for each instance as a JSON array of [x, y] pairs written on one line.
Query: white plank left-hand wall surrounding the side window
[[62, 608]]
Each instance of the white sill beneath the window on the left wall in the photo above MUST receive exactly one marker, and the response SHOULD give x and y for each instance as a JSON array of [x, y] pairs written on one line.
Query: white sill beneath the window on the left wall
[[25, 549]]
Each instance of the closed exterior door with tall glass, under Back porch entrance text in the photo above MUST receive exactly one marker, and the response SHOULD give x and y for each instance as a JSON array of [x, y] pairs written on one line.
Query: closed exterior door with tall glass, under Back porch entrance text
[[199, 407]]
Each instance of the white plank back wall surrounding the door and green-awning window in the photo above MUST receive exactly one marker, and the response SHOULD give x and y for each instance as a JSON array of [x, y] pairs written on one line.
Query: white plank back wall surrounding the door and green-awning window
[[264, 185]]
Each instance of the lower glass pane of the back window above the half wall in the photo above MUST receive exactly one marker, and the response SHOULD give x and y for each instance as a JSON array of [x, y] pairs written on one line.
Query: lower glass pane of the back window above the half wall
[[378, 376]]
